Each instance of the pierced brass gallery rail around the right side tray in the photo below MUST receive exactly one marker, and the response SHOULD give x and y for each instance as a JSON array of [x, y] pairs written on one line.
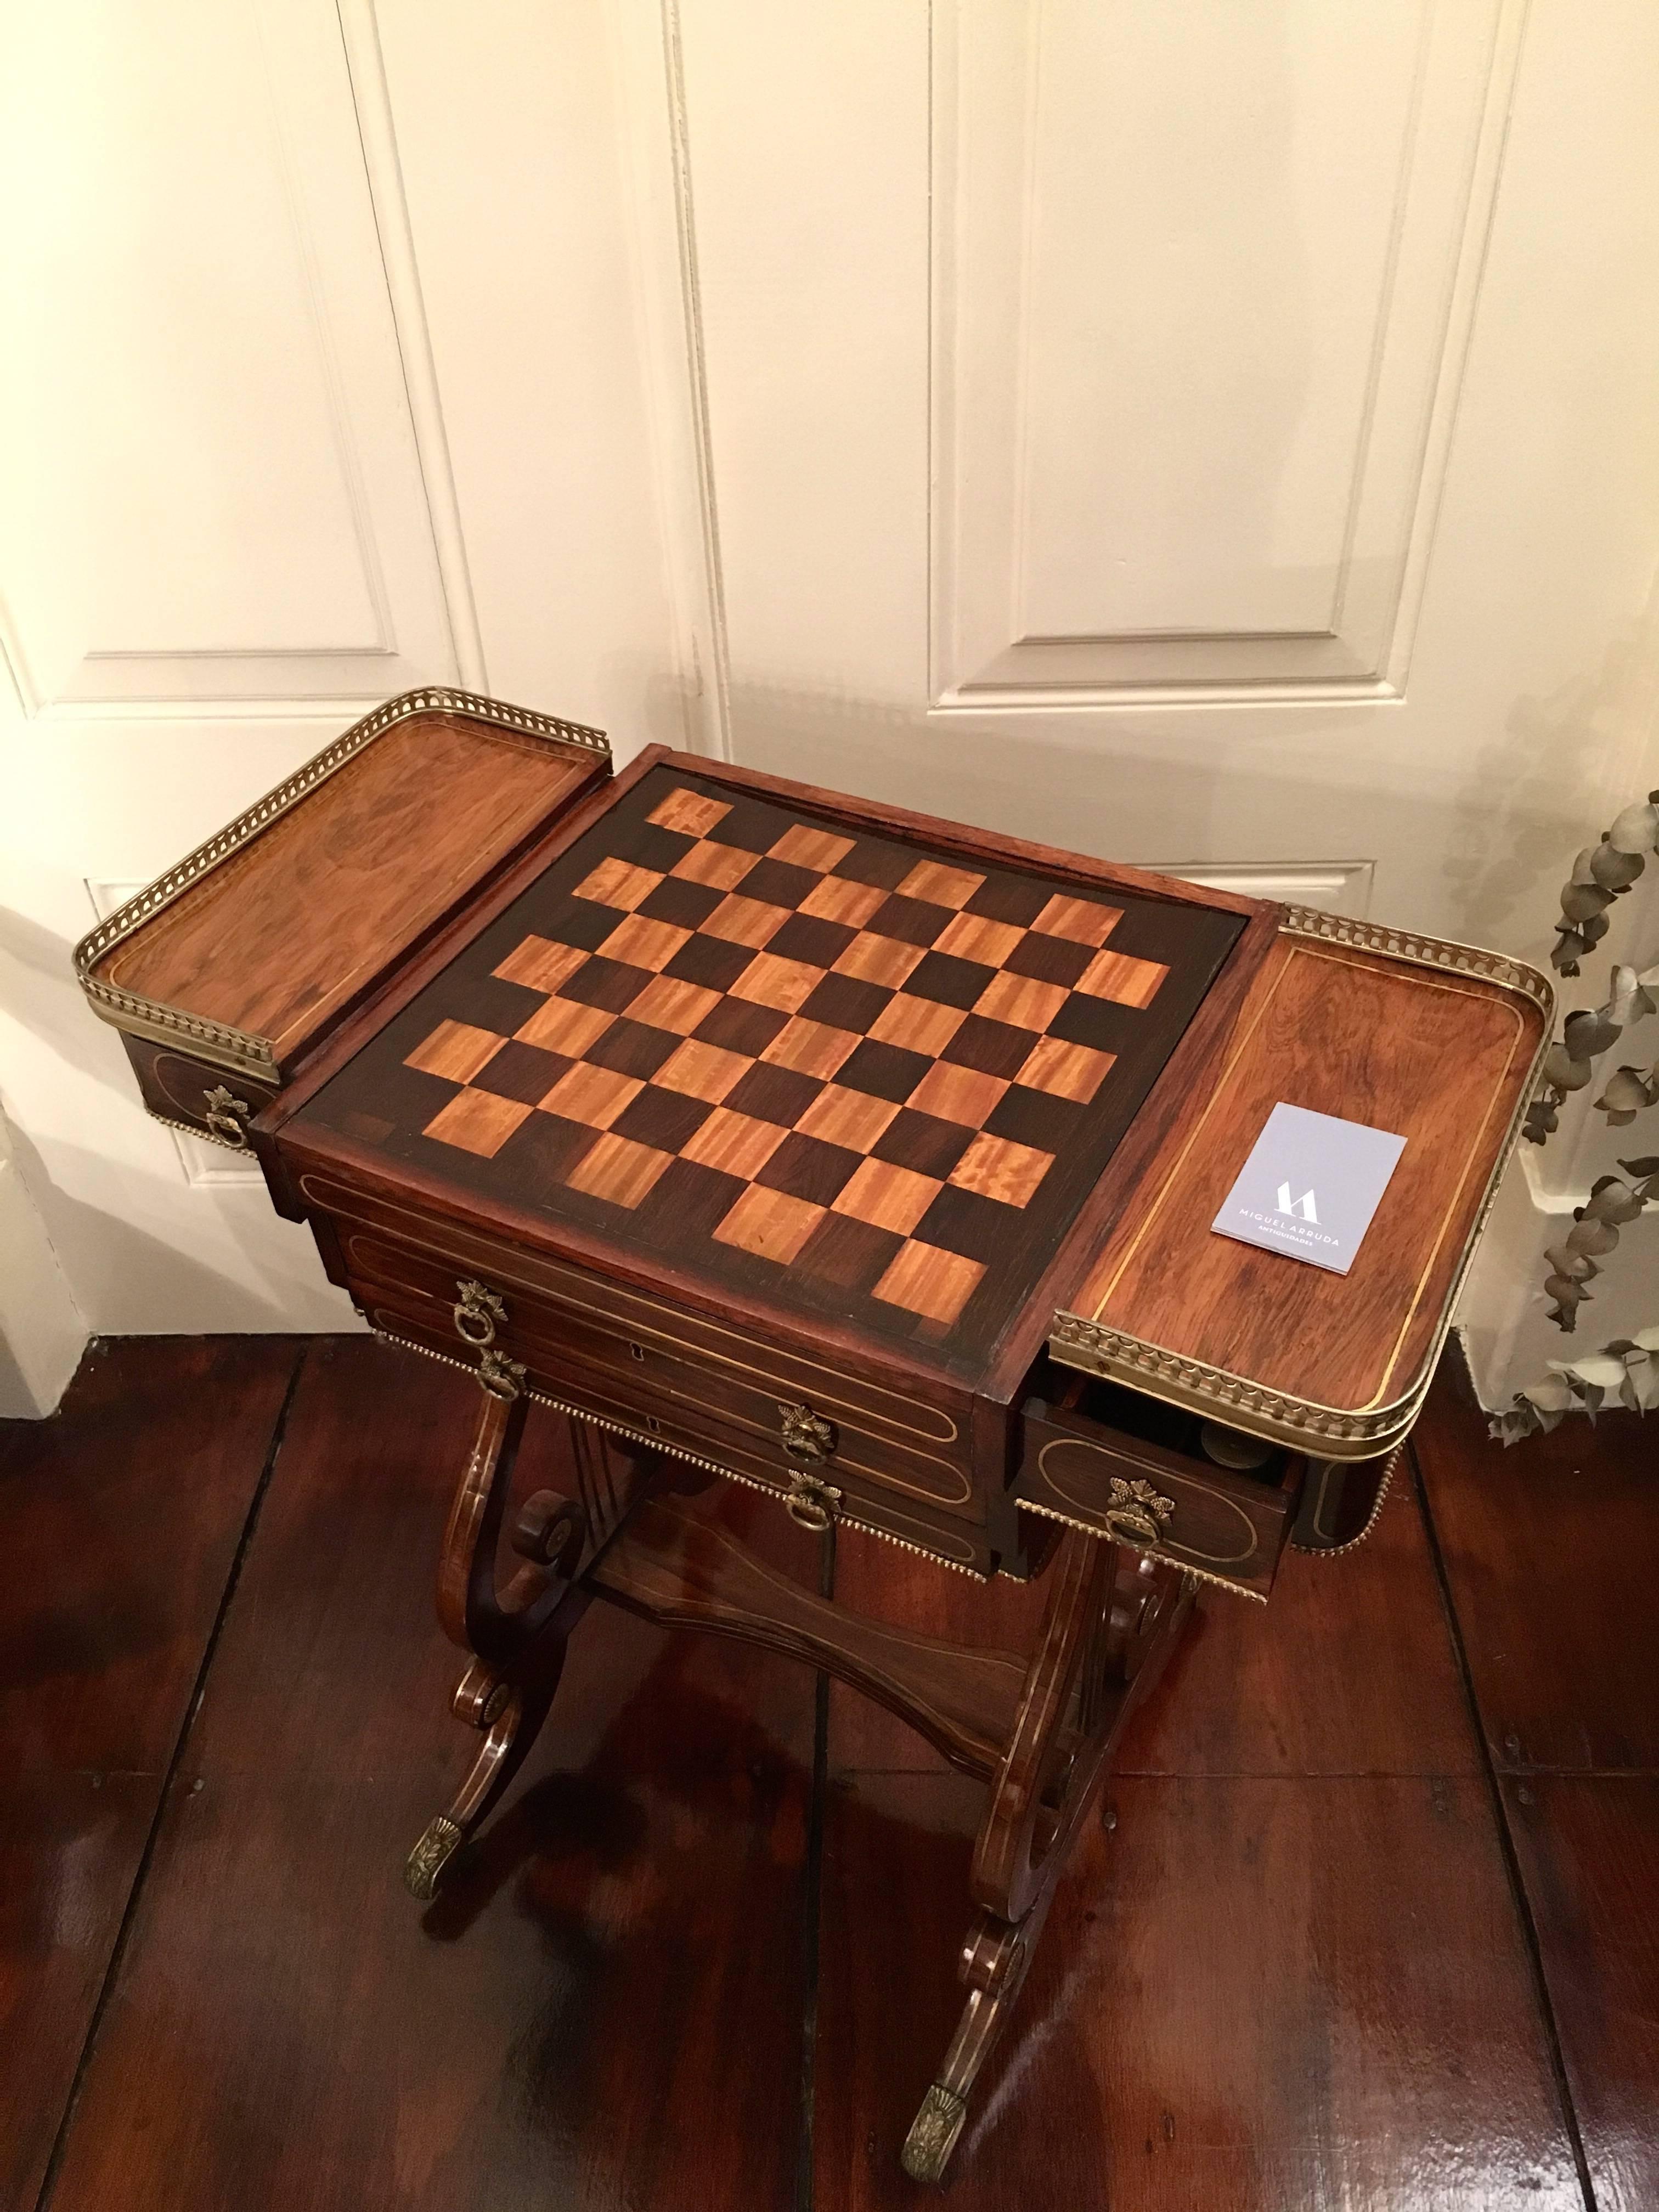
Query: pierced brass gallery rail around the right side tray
[[1280, 1417]]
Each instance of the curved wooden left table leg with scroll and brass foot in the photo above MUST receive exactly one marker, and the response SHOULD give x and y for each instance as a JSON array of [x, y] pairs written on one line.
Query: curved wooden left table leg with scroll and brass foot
[[517, 1638]]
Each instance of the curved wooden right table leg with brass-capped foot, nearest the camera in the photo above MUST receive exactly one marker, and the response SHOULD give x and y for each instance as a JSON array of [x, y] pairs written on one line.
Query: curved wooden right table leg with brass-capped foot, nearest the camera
[[1112, 1623]]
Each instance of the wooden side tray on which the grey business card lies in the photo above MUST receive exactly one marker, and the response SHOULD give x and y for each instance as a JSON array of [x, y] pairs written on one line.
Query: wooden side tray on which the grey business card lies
[[1430, 1041]]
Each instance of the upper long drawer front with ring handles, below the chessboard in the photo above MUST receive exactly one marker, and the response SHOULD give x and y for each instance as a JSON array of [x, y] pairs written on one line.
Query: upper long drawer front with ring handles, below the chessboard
[[552, 1335]]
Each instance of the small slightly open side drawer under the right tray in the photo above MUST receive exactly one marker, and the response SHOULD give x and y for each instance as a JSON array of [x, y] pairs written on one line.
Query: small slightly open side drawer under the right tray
[[1151, 1477]]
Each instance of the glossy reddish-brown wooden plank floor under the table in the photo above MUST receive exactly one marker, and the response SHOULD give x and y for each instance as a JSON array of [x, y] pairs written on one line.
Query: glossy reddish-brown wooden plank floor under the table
[[1370, 1919]]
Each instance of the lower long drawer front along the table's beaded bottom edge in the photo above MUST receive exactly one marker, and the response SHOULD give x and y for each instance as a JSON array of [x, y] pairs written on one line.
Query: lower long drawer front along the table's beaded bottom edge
[[678, 1421]]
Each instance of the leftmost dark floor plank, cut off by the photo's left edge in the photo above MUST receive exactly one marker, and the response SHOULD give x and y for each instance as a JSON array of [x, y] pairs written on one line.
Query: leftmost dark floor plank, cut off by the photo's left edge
[[121, 1523]]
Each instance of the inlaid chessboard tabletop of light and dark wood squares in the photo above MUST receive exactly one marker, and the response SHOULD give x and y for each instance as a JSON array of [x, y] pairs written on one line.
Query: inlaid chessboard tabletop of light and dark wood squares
[[822, 1065]]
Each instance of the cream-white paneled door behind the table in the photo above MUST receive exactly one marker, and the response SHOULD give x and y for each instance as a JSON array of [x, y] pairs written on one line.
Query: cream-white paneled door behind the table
[[1204, 432]]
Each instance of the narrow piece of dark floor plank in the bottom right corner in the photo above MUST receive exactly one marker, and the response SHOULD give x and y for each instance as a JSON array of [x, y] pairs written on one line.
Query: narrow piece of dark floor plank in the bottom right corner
[[1589, 1853]]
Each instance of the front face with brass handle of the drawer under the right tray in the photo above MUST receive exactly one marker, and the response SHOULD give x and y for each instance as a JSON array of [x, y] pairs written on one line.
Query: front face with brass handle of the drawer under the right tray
[[1182, 1510]]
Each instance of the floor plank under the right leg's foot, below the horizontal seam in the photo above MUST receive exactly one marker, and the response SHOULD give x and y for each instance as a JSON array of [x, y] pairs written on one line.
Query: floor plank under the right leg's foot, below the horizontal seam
[[1251, 1994]]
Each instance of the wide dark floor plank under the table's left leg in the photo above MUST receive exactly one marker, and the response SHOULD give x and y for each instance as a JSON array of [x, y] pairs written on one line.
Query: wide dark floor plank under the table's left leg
[[603, 2010]]
